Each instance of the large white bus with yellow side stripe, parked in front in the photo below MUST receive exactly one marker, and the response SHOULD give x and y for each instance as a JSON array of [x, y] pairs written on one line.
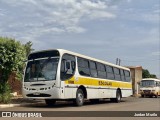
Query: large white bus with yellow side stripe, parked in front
[[59, 74]]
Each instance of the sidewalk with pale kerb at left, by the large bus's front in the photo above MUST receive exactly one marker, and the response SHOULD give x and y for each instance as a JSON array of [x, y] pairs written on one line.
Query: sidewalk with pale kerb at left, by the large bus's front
[[18, 101]]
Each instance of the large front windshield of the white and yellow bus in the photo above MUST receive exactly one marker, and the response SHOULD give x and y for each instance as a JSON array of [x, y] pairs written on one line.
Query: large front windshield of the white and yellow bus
[[41, 70]]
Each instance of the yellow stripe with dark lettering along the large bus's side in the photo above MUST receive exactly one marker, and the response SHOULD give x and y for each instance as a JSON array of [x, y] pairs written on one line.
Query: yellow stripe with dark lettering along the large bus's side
[[98, 82]]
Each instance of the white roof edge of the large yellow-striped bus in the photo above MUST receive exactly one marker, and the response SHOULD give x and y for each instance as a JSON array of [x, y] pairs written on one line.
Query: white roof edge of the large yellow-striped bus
[[62, 51]]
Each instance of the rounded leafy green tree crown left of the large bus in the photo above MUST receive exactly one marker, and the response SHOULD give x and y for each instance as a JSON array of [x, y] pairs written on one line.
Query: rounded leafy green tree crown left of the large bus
[[12, 55]]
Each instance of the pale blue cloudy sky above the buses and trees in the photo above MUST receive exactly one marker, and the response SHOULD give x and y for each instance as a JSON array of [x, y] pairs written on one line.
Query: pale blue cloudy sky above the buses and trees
[[103, 29]]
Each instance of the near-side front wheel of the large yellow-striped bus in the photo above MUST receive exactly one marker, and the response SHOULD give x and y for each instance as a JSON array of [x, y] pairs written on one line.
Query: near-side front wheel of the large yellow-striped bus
[[79, 97]]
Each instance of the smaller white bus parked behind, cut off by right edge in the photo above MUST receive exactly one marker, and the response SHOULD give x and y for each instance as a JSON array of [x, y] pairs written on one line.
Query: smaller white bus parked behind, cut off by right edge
[[150, 87]]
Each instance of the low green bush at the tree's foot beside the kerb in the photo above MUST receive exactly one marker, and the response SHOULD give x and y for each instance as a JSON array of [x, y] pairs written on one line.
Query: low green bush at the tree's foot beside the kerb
[[5, 96]]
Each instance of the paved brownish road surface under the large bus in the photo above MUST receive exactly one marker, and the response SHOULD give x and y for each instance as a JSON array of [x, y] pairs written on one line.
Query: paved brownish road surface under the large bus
[[127, 104]]
